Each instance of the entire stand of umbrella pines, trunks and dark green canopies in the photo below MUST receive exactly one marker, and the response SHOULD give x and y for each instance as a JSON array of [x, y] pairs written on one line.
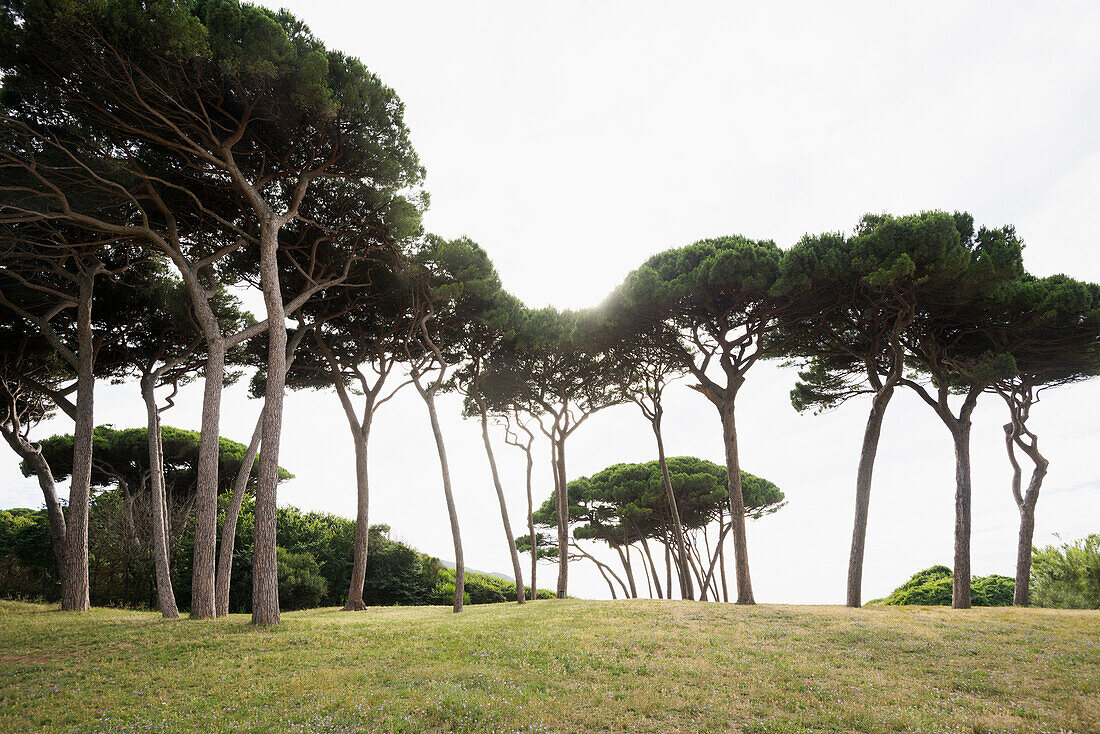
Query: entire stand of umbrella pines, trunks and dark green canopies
[[158, 156]]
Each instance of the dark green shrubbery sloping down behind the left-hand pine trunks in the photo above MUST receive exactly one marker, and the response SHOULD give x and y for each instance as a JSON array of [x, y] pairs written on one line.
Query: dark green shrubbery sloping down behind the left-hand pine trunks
[[315, 553]]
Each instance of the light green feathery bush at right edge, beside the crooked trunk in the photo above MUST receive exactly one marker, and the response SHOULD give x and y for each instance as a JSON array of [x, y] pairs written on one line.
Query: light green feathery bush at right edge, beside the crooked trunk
[[1068, 577]]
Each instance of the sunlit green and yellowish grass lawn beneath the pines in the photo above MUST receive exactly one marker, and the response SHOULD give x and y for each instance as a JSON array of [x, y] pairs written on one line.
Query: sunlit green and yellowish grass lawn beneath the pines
[[555, 666]]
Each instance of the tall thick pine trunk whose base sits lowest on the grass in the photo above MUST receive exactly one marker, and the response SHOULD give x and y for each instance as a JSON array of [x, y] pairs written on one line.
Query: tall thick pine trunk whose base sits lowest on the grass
[[265, 560]]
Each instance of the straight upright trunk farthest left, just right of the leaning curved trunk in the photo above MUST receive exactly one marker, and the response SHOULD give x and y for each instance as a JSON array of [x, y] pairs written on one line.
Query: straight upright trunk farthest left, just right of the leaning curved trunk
[[75, 594]]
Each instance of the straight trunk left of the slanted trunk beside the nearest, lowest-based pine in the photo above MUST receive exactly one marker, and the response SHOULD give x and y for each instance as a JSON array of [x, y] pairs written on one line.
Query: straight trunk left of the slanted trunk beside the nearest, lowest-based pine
[[206, 489]]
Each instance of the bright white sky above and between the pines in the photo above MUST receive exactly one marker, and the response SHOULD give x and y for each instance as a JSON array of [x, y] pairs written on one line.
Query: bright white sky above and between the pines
[[574, 140]]
